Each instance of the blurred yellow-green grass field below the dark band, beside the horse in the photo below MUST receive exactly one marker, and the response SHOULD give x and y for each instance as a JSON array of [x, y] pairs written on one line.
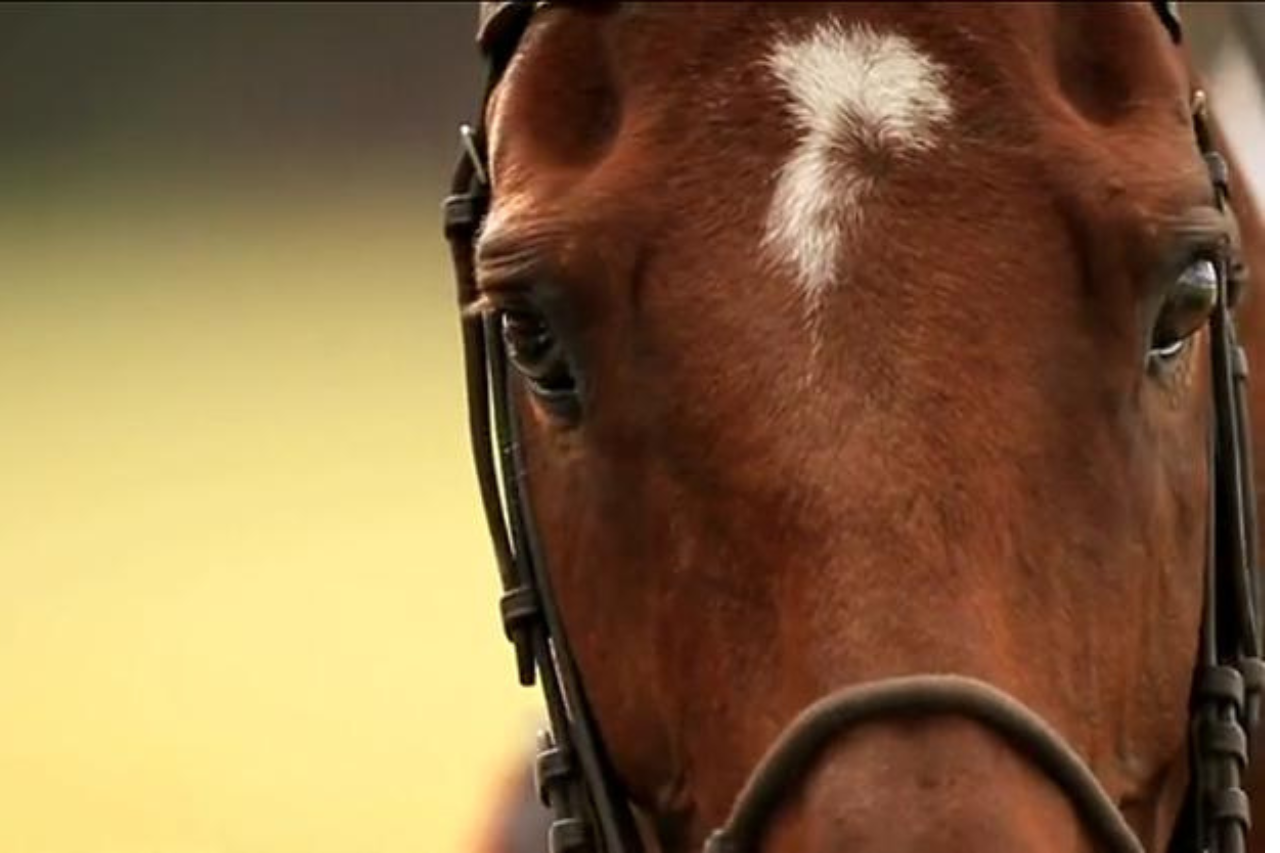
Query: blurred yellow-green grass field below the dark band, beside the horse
[[245, 595]]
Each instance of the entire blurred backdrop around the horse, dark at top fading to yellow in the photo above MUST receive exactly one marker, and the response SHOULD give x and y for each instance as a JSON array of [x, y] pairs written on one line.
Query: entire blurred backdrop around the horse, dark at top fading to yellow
[[246, 603]]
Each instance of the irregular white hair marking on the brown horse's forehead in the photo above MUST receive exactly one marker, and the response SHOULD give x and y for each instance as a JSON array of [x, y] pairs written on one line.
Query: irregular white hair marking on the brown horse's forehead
[[849, 88]]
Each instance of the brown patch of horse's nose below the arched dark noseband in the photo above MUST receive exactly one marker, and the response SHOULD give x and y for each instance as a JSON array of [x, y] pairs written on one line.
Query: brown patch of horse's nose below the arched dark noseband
[[936, 786]]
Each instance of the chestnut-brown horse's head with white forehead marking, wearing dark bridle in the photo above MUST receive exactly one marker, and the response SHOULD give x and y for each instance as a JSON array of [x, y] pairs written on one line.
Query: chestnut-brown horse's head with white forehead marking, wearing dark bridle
[[858, 399]]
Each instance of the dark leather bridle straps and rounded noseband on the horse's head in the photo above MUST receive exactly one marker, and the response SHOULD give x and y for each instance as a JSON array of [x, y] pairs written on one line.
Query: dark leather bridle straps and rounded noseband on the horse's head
[[573, 773]]
